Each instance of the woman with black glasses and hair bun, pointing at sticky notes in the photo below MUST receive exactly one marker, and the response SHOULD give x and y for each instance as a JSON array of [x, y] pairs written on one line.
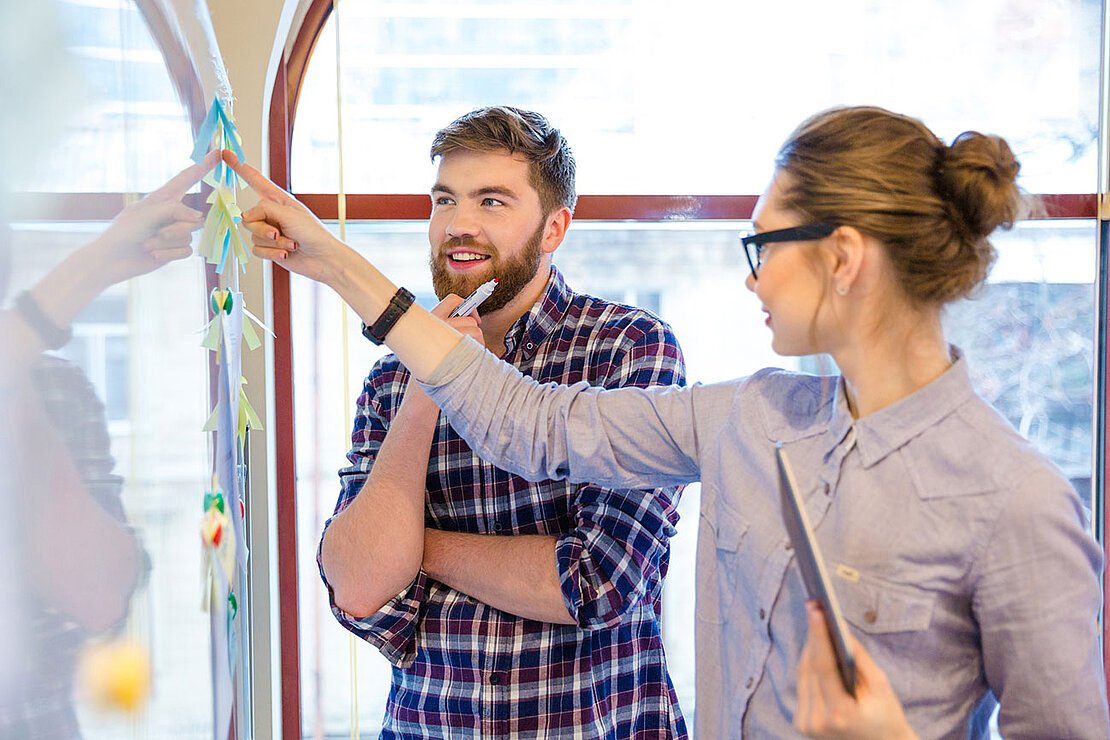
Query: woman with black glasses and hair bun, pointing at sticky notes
[[961, 557]]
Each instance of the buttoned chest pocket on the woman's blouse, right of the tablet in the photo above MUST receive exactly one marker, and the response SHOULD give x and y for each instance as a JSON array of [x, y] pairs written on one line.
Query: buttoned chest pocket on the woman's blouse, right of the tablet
[[881, 607]]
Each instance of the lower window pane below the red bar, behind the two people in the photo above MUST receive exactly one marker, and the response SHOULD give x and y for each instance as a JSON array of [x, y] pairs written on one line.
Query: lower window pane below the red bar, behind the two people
[[1030, 338]]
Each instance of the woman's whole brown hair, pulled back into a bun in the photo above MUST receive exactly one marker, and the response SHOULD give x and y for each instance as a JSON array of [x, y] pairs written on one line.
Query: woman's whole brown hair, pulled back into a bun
[[932, 206]]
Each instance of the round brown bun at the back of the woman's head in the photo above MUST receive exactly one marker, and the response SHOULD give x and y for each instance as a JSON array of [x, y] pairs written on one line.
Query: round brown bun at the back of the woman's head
[[977, 178]]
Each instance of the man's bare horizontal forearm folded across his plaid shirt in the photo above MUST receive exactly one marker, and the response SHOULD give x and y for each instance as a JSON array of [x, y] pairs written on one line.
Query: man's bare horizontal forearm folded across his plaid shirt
[[519, 574]]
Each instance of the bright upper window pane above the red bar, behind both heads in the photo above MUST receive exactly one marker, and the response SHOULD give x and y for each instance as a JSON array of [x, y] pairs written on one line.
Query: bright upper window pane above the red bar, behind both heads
[[655, 100]]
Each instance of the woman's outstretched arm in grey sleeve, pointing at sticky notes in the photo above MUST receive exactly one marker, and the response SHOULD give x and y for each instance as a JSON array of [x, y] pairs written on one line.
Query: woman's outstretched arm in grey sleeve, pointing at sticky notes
[[628, 439]]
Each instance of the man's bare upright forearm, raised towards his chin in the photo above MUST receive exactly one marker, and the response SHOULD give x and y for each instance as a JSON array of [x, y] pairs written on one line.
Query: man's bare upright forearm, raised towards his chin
[[375, 548]]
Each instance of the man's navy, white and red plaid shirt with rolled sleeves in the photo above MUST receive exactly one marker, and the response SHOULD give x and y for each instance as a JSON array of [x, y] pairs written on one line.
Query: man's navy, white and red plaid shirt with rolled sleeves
[[463, 670]]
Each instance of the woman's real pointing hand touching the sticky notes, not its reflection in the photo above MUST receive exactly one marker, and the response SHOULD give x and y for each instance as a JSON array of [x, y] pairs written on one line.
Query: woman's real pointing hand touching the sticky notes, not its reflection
[[284, 229]]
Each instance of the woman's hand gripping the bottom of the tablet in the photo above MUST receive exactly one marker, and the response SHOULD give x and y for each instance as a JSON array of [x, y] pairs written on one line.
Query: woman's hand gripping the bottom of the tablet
[[826, 711]]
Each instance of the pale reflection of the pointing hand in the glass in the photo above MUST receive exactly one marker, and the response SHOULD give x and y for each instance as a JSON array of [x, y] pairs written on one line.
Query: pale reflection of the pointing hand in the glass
[[154, 231]]
